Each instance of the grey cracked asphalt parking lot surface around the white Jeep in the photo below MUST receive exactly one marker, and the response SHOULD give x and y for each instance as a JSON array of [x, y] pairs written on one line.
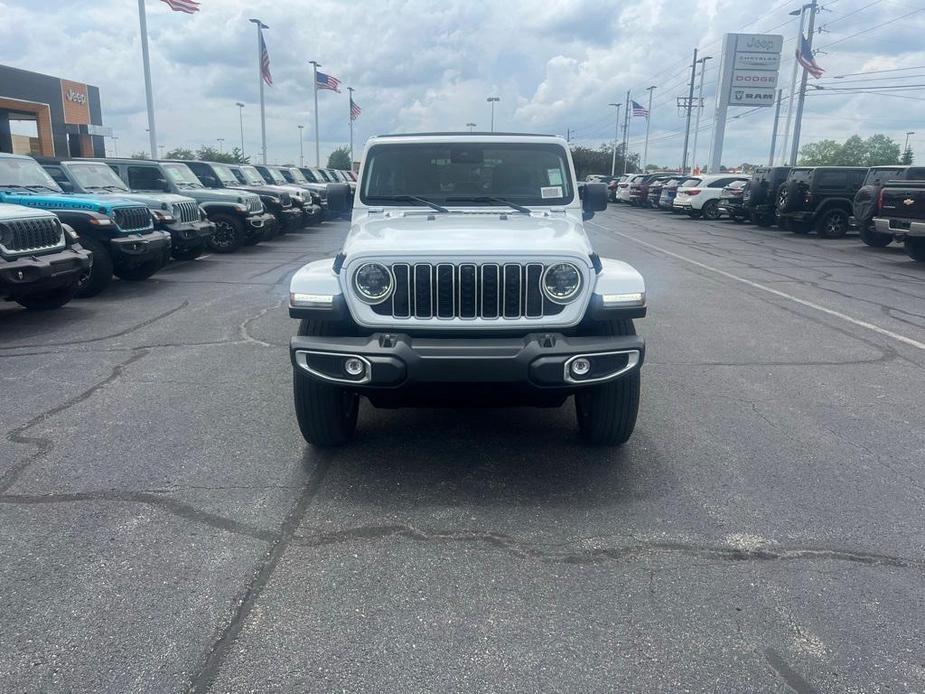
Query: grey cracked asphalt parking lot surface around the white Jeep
[[163, 527]]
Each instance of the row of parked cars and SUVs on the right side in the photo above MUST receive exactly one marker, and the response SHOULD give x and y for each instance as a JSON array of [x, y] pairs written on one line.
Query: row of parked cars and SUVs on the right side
[[883, 203]]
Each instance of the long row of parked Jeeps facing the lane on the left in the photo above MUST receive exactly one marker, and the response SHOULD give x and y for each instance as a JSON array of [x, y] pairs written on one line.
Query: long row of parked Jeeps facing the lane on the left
[[67, 227]]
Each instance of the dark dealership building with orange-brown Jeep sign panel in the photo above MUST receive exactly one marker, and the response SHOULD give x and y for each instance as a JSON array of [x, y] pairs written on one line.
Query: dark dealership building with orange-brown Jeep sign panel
[[49, 116]]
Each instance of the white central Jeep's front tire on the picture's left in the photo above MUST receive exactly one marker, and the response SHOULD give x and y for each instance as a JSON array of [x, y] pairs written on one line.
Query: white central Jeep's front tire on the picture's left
[[327, 414]]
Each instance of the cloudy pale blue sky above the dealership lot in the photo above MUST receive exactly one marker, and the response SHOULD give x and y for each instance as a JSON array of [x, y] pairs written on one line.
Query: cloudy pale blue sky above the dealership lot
[[426, 66]]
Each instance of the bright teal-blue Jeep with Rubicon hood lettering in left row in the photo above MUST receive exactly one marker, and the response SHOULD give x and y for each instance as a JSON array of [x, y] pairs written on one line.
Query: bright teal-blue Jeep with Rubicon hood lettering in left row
[[120, 233]]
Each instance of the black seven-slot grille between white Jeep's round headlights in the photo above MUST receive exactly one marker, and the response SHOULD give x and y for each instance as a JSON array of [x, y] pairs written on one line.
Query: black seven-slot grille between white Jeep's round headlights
[[467, 290]]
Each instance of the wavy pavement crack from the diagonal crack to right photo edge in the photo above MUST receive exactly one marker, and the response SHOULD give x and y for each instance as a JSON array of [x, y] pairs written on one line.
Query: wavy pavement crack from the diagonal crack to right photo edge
[[566, 553]]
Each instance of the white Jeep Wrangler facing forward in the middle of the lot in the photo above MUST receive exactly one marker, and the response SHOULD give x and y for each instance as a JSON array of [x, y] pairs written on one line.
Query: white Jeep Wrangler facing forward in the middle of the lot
[[467, 278]]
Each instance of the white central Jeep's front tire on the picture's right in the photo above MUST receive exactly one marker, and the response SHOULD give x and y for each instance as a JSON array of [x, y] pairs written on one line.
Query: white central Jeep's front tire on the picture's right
[[607, 413]]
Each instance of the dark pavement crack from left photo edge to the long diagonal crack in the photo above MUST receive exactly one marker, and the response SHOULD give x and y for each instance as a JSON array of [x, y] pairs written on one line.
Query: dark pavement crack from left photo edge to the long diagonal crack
[[173, 506]]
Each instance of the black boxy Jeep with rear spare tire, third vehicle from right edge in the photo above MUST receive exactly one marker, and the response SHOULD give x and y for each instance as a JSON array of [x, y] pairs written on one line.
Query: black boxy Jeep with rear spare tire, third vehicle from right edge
[[819, 198]]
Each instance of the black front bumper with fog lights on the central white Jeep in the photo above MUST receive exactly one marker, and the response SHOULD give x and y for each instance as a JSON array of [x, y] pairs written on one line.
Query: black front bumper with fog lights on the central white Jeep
[[395, 360]]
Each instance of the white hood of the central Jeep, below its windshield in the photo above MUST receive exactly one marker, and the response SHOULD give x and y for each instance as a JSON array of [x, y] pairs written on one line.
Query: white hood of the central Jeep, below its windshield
[[469, 234]]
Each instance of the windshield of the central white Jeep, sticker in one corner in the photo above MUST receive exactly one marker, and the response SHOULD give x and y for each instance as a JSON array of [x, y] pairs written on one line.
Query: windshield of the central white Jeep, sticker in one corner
[[527, 173]]
